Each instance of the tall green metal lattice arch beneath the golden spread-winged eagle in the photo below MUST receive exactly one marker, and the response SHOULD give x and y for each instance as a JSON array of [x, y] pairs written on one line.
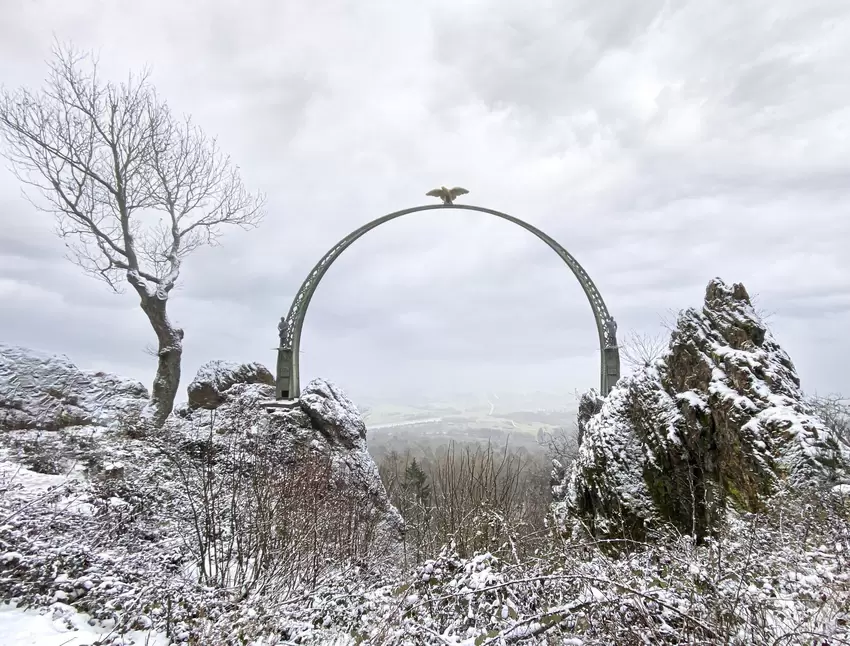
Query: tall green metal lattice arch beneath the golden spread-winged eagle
[[288, 375]]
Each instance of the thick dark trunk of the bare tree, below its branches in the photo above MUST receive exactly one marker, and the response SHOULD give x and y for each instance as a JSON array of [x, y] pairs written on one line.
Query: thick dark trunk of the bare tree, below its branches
[[169, 354]]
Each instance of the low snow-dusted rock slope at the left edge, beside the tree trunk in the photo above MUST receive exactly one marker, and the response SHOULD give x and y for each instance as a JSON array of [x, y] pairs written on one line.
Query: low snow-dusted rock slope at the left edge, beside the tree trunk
[[47, 392]]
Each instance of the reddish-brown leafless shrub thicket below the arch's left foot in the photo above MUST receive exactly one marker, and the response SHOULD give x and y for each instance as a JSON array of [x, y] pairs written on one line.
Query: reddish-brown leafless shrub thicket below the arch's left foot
[[259, 521]]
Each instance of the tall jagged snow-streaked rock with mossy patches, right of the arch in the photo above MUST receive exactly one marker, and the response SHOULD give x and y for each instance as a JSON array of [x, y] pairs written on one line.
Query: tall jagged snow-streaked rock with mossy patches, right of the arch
[[718, 421]]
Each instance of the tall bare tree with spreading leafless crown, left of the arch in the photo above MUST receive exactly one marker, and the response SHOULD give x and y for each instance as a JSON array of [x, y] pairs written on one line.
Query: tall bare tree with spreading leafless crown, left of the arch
[[134, 188]]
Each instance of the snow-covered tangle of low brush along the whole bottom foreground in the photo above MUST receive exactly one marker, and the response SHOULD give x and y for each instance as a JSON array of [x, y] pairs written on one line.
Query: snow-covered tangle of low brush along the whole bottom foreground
[[778, 577]]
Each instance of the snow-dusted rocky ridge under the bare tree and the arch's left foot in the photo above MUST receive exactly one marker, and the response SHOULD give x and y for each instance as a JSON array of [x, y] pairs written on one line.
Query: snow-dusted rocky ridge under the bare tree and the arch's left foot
[[58, 418]]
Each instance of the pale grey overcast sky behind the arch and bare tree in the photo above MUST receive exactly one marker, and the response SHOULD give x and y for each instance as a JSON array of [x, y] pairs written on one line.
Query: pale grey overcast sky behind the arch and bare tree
[[662, 143]]
